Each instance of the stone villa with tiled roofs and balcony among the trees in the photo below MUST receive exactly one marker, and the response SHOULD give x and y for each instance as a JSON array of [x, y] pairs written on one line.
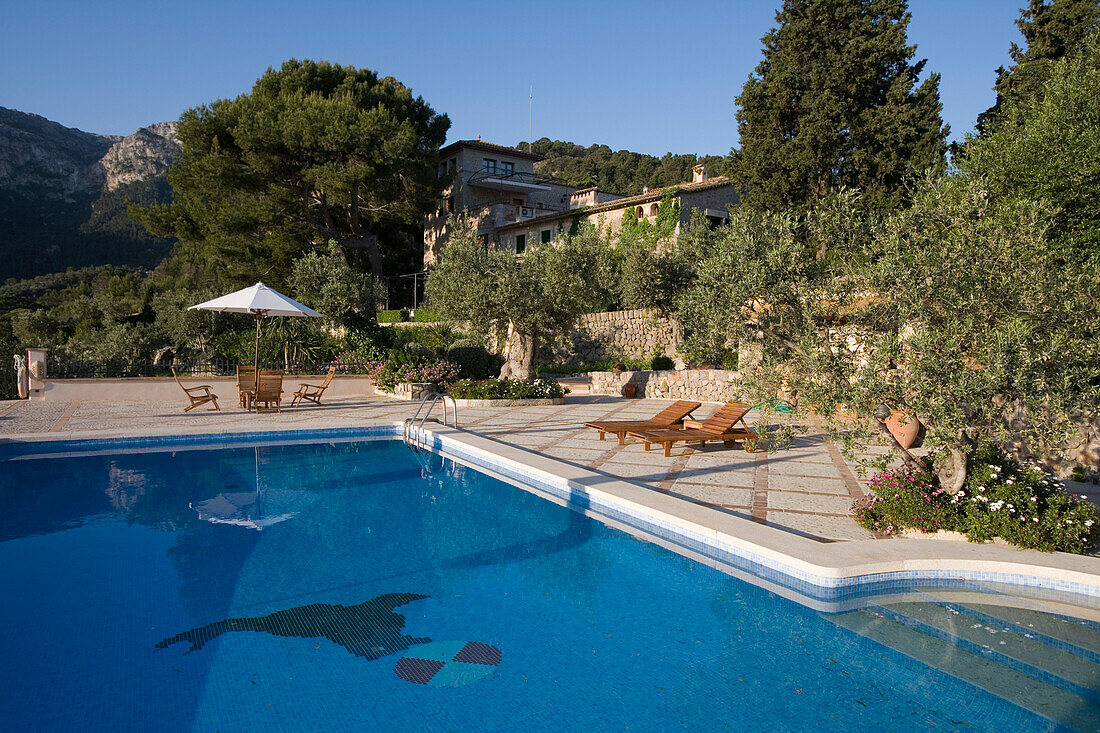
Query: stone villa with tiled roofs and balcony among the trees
[[513, 207]]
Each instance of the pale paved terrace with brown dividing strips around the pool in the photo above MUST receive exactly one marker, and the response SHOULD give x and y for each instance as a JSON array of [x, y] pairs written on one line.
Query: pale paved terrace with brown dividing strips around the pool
[[805, 490]]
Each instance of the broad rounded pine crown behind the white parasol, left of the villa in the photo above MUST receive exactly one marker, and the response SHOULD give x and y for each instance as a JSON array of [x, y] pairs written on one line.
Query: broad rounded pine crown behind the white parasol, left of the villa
[[316, 152]]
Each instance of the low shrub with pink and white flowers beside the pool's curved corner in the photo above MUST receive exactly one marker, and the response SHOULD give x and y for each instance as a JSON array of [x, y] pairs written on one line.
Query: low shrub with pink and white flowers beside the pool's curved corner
[[1022, 505]]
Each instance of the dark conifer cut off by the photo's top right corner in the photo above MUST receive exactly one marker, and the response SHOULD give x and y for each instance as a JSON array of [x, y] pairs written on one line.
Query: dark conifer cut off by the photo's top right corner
[[1051, 31]]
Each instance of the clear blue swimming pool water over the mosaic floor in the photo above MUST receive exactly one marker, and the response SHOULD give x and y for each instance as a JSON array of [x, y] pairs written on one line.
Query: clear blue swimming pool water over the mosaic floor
[[353, 586]]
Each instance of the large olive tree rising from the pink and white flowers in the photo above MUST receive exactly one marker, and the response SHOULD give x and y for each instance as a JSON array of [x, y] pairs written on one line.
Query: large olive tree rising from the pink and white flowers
[[998, 335]]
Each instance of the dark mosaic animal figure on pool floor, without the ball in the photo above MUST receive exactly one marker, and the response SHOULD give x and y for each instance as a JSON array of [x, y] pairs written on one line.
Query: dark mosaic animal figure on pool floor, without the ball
[[370, 630]]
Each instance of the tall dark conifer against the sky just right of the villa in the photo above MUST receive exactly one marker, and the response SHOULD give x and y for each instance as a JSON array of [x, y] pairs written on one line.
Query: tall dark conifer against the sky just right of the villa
[[838, 104]]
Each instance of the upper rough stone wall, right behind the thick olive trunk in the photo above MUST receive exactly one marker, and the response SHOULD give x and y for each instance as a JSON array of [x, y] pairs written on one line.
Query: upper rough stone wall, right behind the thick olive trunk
[[633, 334]]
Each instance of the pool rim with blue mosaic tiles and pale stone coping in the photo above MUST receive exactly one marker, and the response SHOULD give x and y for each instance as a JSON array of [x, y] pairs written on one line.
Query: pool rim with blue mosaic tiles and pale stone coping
[[833, 590]]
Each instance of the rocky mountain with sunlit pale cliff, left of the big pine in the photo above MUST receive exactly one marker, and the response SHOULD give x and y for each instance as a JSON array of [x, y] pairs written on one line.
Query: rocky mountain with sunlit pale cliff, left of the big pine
[[63, 194]]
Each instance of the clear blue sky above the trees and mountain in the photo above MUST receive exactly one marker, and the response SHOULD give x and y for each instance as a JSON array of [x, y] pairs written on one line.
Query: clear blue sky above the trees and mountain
[[652, 78]]
